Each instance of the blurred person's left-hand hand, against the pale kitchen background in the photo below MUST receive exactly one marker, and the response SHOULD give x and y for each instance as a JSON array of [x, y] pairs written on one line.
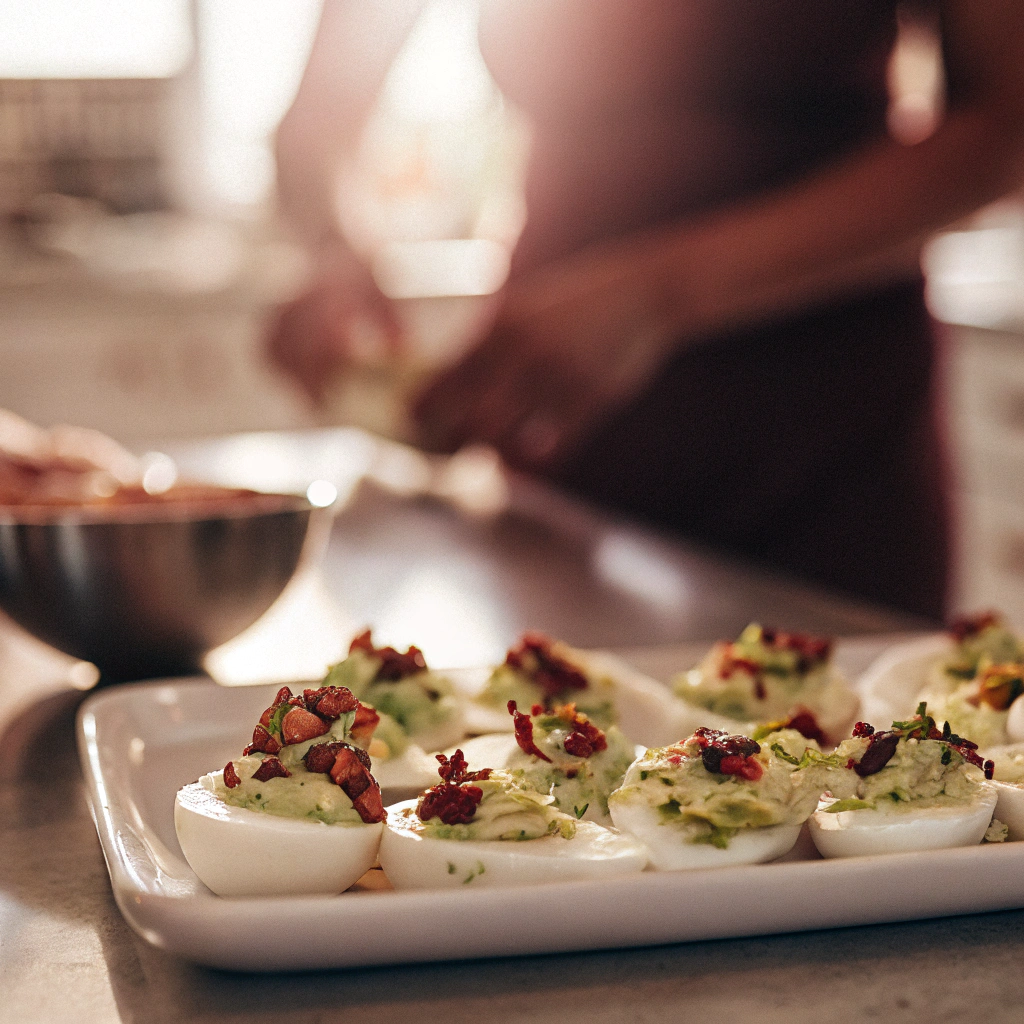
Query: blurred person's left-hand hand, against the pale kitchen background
[[344, 320]]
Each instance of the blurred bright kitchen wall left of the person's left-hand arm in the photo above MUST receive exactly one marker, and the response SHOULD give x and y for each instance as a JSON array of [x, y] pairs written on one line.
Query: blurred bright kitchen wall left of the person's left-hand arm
[[139, 253]]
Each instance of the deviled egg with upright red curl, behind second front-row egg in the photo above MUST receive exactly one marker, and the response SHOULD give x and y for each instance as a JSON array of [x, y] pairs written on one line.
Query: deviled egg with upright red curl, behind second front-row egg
[[562, 753]]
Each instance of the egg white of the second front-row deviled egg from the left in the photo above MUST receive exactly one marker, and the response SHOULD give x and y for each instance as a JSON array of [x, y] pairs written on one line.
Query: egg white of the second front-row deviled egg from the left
[[412, 861]]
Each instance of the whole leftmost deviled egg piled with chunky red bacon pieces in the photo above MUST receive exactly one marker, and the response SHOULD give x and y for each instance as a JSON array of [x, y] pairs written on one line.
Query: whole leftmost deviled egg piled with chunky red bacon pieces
[[298, 814]]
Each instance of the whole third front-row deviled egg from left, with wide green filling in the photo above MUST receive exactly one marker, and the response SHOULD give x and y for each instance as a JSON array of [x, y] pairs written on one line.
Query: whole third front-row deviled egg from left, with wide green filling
[[716, 800]]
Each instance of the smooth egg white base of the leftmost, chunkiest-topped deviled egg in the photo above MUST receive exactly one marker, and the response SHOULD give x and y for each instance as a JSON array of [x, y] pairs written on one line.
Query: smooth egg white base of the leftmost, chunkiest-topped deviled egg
[[239, 852]]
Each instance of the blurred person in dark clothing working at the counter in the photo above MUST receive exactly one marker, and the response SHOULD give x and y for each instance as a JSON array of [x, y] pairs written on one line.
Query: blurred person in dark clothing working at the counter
[[715, 320]]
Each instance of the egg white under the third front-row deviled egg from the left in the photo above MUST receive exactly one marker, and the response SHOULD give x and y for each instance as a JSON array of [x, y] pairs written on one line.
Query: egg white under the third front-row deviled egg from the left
[[670, 850]]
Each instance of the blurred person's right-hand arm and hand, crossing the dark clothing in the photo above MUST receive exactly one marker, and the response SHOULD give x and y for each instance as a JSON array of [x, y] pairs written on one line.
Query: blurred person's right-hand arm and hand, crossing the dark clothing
[[575, 340]]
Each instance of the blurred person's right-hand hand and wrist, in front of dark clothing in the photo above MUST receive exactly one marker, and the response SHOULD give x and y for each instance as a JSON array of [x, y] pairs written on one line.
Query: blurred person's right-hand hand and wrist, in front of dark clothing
[[570, 345]]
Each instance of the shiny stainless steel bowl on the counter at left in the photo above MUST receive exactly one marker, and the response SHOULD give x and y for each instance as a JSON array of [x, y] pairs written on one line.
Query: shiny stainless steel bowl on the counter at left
[[147, 591]]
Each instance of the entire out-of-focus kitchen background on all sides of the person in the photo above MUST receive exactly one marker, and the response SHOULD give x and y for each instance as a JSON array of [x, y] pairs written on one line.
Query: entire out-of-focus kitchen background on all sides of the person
[[141, 252]]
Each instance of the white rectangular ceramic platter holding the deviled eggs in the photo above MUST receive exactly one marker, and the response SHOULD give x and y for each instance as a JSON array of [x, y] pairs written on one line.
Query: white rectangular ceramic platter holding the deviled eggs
[[141, 744]]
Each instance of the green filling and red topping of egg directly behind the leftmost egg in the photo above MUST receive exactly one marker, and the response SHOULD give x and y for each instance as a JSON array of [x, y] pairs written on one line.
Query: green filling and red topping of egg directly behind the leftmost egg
[[424, 704]]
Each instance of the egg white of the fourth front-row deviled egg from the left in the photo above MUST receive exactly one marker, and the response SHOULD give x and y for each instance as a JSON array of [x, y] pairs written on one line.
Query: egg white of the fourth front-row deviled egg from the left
[[867, 832]]
